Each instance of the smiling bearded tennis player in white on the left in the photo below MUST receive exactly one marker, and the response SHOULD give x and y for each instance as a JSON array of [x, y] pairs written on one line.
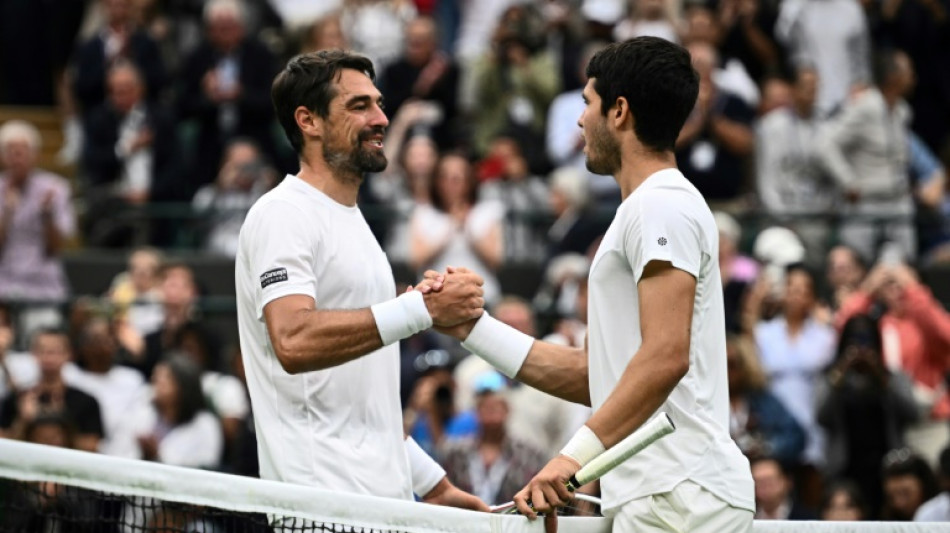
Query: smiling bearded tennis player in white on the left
[[318, 315]]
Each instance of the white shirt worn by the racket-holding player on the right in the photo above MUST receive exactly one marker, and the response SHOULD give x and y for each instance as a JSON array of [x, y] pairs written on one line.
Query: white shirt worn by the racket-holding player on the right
[[667, 219]]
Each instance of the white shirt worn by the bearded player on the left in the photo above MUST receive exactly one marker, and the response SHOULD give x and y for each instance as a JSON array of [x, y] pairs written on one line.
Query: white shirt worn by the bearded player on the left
[[338, 428]]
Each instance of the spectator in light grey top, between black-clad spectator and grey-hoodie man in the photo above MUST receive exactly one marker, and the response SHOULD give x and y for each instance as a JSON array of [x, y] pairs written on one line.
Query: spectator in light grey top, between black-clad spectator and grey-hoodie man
[[791, 182]]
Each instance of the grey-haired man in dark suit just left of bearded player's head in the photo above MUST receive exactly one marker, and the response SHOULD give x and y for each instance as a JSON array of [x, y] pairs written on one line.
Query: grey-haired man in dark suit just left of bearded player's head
[[226, 89]]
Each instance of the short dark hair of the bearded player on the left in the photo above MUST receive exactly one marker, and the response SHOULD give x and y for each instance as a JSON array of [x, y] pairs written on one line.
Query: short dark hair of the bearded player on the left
[[307, 81]]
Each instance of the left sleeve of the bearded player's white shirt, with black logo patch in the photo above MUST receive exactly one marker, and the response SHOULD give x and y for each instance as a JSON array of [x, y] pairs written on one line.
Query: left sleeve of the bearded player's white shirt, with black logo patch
[[281, 258]]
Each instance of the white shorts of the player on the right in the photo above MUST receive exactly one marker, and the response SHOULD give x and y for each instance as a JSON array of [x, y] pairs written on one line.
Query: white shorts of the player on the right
[[686, 508]]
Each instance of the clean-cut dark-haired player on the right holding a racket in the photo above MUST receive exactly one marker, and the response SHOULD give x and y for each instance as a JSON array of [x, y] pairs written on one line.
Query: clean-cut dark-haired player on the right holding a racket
[[656, 337]]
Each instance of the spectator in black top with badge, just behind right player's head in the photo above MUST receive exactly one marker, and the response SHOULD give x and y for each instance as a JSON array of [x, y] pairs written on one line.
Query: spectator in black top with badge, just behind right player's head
[[717, 137]]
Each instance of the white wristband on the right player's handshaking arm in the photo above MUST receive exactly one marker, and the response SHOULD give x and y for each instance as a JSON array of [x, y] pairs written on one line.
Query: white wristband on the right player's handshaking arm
[[504, 347]]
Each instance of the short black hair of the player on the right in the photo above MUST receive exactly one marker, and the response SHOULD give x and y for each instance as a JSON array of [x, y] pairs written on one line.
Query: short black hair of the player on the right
[[658, 81]]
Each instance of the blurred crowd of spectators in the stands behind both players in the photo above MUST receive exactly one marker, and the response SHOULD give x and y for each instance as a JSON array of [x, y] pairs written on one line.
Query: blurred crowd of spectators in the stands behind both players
[[135, 134]]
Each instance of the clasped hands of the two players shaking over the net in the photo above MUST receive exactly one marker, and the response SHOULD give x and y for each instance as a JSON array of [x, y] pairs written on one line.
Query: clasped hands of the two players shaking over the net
[[455, 299]]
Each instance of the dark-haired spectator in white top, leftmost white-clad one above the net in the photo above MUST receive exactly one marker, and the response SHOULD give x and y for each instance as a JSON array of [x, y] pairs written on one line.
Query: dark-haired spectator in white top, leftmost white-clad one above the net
[[120, 391]]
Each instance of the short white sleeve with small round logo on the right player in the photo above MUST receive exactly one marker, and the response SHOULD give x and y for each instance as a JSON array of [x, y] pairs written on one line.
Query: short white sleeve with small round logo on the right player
[[663, 230]]
